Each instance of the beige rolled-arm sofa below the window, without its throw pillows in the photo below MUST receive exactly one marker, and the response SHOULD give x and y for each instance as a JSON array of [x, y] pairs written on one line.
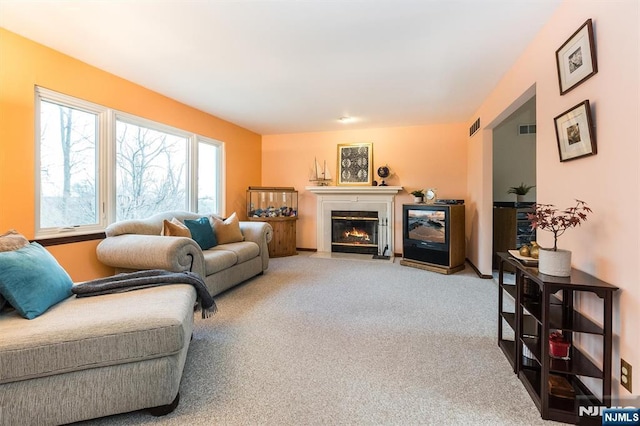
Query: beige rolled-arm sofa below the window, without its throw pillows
[[137, 245]]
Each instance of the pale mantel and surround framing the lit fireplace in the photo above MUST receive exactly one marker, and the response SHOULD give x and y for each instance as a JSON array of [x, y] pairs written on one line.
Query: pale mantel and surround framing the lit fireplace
[[354, 198]]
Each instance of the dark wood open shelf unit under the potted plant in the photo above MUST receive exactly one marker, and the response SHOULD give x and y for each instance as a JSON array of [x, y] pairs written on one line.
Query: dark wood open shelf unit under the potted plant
[[543, 304]]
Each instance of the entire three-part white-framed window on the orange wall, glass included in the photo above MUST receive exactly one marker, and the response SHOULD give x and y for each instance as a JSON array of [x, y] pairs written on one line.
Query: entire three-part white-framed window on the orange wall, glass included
[[97, 166]]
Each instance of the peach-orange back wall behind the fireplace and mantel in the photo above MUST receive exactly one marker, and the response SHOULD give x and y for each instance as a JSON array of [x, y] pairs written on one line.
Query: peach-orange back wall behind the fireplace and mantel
[[419, 157]]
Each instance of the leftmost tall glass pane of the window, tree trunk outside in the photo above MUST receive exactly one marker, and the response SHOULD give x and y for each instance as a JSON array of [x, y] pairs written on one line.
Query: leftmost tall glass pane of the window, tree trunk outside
[[67, 166]]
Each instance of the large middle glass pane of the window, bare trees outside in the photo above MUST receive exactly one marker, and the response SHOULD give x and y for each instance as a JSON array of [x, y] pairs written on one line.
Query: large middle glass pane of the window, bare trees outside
[[151, 171]]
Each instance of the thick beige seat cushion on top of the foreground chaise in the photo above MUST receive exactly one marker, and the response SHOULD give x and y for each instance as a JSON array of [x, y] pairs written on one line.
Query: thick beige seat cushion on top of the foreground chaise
[[91, 332]]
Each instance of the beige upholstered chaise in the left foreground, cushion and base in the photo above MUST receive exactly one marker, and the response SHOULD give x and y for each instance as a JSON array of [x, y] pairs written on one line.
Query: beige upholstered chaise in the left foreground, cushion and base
[[95, 356]]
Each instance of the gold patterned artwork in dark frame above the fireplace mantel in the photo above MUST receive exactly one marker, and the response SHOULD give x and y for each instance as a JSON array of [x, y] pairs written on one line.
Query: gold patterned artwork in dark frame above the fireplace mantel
[[355, 164]]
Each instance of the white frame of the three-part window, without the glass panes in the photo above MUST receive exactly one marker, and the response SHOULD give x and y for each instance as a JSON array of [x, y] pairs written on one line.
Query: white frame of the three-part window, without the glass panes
[[106, 162]]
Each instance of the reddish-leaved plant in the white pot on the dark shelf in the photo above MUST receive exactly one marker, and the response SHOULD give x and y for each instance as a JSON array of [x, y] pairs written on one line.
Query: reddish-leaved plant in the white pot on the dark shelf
[[549, 218]]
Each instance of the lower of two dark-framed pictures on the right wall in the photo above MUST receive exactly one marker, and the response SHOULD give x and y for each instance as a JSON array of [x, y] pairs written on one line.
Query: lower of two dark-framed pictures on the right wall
[[574, 133]]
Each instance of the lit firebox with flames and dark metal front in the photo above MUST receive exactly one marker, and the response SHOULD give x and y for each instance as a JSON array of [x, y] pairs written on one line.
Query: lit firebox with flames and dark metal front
[[354, 231]]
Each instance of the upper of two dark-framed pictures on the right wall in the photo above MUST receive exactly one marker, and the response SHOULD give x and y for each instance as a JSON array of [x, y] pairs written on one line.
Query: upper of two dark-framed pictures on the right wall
[[576, 58]]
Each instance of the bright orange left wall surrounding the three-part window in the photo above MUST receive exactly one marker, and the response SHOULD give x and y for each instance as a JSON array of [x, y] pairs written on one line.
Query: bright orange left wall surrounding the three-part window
[[24, 64]]
